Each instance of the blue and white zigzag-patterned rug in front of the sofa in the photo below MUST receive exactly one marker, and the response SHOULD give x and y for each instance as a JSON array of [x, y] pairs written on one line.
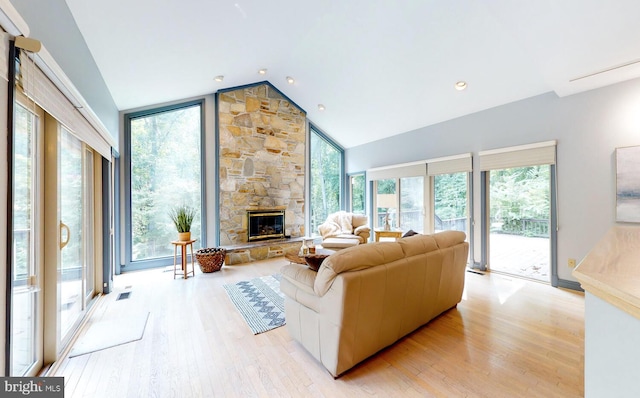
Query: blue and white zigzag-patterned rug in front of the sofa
[[259, 301]]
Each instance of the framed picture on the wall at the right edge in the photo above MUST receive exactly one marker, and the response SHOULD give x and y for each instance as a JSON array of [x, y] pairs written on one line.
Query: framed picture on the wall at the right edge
[[628, 184]]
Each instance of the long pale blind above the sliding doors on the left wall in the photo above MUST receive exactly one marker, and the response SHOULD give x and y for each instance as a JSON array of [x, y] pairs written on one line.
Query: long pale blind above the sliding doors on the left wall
[[40, 89]]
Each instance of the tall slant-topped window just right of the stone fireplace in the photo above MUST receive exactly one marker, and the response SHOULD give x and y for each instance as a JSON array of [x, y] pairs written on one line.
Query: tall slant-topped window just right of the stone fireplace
[[326, 171]]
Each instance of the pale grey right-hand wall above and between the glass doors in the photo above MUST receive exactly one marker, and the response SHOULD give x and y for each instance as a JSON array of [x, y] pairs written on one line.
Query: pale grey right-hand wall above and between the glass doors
[[588, 127]]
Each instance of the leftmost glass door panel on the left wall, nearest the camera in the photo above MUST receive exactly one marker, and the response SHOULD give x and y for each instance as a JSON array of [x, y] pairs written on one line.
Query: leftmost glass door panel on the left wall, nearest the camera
[[26, 292]]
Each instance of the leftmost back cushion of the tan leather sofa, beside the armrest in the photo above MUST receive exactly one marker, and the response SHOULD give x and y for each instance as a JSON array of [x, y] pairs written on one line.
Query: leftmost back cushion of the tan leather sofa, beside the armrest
[[353, 259]]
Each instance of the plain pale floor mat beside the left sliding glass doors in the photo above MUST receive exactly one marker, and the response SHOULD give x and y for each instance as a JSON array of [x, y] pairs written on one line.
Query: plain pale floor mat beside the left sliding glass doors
[[110, 333]]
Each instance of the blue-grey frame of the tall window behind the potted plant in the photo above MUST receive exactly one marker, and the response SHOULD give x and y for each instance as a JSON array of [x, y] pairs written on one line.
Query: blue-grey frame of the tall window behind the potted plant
[[129, 264]]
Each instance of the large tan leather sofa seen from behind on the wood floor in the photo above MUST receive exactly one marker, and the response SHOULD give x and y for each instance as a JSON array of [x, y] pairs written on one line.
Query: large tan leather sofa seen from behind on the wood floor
[[365, 298]]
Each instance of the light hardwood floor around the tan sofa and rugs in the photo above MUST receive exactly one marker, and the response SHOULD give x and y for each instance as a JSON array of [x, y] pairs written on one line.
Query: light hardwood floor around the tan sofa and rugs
[[507, 338]]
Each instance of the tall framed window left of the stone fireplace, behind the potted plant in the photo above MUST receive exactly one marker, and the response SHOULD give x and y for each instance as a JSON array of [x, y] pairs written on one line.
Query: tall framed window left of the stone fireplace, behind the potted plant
[[165, 156]]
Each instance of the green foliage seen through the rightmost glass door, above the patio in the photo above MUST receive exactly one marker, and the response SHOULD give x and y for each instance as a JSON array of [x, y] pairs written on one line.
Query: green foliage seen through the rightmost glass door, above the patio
[[520, 199]]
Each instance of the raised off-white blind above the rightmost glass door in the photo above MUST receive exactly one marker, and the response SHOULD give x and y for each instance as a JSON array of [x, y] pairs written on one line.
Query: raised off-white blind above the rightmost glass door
[[518, 156]]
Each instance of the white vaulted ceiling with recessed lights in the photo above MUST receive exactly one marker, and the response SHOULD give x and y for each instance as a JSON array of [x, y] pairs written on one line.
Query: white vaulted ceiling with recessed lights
[[380, 67]]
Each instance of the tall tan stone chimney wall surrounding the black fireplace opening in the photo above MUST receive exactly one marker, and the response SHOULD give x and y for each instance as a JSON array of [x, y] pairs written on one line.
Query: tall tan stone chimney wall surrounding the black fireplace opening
[[262, 144]]
